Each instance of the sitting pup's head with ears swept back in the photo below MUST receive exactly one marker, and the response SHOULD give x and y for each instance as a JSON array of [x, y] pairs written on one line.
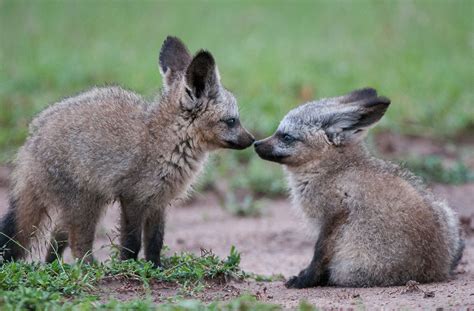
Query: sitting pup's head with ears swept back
[[314, 130]]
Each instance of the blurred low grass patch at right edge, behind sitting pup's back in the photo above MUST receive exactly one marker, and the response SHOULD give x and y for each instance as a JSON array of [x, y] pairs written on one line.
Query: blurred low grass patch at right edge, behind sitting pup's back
[[434, 169]]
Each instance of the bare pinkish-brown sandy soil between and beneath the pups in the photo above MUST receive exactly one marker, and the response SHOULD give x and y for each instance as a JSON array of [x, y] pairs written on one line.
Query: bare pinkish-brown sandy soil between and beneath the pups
[[278, 243]]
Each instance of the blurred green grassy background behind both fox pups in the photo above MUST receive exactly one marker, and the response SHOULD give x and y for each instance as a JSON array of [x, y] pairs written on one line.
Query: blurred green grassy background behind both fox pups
[[273, 55]]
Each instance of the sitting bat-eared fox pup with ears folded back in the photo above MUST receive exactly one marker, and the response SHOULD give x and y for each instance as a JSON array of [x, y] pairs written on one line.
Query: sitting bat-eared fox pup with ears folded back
[[376, 225]]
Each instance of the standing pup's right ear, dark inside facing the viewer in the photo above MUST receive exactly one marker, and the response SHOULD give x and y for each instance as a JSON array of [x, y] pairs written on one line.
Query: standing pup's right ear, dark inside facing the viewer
[[202, 76]]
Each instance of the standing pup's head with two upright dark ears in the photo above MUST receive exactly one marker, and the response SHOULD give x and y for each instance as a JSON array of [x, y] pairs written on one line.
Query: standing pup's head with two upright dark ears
[[194, 84]]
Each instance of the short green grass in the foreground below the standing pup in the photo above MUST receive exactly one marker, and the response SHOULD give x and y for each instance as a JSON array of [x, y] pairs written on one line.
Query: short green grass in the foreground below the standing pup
[[60, 286]]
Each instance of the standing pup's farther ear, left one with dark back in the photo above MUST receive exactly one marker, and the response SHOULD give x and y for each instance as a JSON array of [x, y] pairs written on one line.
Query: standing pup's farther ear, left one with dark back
[[174, 59]]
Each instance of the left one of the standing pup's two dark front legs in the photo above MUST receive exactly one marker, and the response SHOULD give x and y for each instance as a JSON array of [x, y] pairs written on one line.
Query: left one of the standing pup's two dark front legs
[[131, 228]]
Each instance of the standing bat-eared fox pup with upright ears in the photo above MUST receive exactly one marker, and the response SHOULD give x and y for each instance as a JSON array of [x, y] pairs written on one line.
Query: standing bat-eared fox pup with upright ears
[[109, 144]]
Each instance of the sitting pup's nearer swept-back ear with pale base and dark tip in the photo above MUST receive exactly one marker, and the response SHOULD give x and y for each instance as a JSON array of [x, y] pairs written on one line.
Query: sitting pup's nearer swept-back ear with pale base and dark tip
[[349, 123]]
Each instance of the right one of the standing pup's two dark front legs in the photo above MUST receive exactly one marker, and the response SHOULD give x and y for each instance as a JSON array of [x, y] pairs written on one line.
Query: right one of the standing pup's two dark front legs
[[154, 231]]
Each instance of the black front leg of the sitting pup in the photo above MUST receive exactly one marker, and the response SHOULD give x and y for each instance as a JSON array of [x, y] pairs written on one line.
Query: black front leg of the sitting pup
[[316, 273]]
